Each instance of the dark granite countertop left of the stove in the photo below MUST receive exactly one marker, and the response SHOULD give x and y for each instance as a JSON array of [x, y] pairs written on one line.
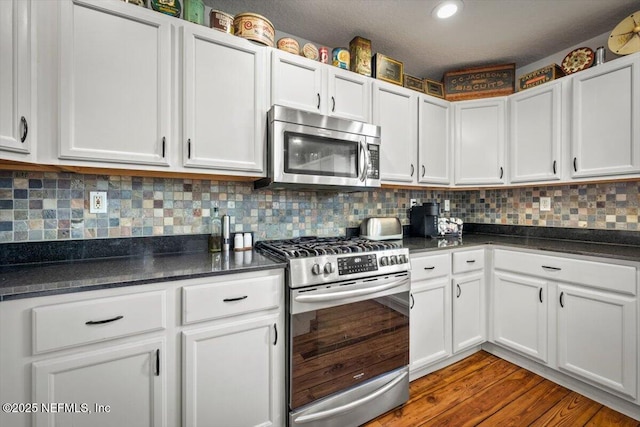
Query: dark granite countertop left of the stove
[[34, 280]]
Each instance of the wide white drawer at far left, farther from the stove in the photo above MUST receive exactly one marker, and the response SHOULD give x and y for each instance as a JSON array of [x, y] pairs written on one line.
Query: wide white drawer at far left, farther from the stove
[[81, 322]]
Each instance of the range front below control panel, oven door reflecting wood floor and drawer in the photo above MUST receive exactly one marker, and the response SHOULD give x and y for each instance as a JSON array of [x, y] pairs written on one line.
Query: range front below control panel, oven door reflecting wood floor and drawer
[[345, 335]]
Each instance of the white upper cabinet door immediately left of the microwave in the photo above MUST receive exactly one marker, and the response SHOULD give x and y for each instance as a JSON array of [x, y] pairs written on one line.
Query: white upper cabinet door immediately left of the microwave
[[224, 101]]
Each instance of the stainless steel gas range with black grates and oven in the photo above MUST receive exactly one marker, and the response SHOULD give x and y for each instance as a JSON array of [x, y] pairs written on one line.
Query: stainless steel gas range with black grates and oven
[[347, 328]]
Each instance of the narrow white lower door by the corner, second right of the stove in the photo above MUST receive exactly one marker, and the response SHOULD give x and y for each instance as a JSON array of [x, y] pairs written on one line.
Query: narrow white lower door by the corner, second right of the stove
[[468, 311]]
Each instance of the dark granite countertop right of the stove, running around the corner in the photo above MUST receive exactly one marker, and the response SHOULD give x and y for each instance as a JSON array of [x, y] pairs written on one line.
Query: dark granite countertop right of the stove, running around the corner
[[576, 247]]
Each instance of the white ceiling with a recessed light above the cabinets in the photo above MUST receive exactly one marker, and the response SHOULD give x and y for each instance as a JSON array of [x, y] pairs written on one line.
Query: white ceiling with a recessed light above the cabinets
[[486, 32]]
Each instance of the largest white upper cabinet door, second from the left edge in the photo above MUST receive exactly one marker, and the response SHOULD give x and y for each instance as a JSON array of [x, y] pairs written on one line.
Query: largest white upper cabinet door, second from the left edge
[[115, 63]]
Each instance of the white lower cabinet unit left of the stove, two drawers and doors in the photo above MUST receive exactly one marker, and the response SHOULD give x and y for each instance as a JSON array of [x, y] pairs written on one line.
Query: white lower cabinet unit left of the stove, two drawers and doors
[[148, 355]]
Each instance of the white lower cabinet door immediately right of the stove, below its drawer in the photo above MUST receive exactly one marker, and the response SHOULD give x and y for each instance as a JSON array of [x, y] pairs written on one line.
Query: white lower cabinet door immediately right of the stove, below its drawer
[[430, 325]]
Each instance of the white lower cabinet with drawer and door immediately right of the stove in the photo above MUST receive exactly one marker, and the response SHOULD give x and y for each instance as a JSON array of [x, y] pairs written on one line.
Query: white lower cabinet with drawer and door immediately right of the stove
[[430, 321]]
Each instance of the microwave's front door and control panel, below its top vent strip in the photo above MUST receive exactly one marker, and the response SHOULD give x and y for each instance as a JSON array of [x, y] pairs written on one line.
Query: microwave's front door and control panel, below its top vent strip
[[309, 155]]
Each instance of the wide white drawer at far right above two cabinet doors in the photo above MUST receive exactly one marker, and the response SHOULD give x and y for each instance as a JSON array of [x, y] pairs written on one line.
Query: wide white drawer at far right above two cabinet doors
[[619, 278]]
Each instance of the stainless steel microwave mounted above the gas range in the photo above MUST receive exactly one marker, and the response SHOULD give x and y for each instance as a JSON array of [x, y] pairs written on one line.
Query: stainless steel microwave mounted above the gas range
[[308, 150]]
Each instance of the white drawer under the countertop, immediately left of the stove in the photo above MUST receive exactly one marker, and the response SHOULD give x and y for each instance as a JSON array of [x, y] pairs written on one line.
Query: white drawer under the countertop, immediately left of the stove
[[211, 300]]
